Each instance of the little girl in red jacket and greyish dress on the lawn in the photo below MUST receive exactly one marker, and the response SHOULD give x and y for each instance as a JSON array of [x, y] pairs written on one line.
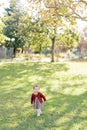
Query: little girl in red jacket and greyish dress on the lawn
[[37, 99]]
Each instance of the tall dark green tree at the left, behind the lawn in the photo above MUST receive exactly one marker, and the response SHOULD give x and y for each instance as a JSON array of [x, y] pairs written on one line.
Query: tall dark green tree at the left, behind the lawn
[[14, 25]]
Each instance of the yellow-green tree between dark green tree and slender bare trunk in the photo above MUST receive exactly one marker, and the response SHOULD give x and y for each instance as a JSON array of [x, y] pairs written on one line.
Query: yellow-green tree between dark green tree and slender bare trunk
[[39, 32]]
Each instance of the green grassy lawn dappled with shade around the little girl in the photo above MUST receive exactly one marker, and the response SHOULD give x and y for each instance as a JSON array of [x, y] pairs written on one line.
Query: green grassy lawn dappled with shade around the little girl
[[65, 86]]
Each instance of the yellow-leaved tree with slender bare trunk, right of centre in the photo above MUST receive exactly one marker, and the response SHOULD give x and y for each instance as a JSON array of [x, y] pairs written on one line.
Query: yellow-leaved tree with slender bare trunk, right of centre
[[57, 15]]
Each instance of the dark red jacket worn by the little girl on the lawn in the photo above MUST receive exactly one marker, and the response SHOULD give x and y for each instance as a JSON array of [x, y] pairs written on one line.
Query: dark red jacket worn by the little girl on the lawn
[[40, 97]]
